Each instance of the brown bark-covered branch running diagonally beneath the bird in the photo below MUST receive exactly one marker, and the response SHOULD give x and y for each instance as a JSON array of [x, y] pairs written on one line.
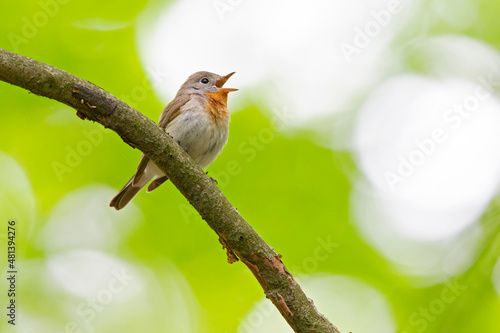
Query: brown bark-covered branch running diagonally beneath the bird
[[236, 235]]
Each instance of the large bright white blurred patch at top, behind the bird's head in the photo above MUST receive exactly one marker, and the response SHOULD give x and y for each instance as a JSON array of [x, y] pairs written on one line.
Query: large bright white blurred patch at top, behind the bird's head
[[292, 54]]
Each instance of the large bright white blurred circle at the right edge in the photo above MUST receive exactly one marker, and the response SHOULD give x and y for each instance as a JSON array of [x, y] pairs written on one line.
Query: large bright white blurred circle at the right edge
[[433, 185]]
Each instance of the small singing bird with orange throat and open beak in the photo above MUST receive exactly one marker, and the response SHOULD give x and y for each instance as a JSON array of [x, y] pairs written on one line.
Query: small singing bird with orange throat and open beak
[[198, 119]]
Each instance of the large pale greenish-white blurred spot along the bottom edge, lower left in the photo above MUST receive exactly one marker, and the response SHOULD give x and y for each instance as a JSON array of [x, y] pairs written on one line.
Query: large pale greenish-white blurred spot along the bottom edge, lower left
[[92, 291]]
